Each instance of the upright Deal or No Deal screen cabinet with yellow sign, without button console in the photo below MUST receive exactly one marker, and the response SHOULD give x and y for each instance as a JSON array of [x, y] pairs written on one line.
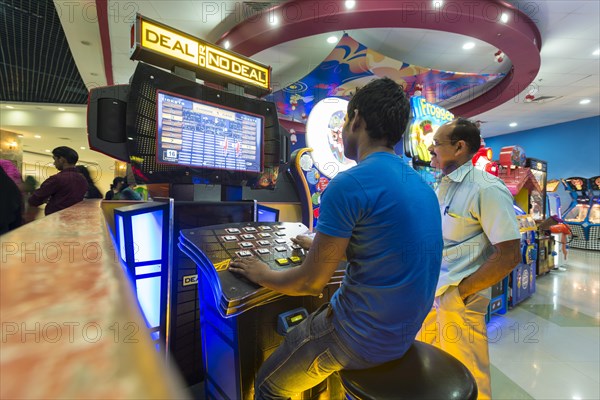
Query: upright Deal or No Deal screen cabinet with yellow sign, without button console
[[174, 130]]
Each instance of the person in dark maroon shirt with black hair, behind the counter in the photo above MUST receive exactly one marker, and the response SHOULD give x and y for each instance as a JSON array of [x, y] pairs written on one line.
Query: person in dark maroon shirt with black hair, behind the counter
[[63, 189]]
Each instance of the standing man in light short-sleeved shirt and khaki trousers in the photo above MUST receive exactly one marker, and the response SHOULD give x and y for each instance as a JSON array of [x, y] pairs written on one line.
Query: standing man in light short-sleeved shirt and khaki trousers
[[481, 246]]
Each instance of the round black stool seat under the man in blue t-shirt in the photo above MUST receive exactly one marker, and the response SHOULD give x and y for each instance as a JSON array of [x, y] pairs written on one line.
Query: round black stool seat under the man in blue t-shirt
[[425, 372]]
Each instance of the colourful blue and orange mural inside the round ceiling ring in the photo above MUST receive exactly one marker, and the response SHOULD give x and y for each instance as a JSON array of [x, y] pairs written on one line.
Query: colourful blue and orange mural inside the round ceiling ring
[[351, 65]]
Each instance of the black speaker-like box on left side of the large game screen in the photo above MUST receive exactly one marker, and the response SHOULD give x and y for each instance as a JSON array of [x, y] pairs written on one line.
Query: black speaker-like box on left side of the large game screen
[[106, 120]]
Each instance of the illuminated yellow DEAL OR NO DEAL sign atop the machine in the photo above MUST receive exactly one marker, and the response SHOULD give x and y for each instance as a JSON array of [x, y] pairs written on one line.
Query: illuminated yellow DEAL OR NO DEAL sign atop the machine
[[168, 42]]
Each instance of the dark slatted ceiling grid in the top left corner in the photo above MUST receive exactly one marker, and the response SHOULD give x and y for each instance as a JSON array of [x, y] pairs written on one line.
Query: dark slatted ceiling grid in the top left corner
[[36, 64]]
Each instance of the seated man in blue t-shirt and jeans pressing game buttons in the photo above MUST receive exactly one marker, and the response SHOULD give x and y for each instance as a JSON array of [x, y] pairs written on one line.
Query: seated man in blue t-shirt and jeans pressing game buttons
[[384, 219]]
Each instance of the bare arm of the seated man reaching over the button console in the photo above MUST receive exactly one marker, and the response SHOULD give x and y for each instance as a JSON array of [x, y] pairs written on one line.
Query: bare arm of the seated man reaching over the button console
[[309, 278]]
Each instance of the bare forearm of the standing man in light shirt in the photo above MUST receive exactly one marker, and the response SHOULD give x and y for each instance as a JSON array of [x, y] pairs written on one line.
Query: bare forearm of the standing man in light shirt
[[505, 257]]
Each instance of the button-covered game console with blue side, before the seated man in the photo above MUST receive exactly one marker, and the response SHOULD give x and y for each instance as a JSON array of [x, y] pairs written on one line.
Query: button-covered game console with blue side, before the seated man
[[243, 323]]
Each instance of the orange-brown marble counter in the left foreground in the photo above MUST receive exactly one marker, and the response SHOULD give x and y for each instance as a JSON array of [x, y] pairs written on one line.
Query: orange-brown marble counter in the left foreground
[[71, 327]]
